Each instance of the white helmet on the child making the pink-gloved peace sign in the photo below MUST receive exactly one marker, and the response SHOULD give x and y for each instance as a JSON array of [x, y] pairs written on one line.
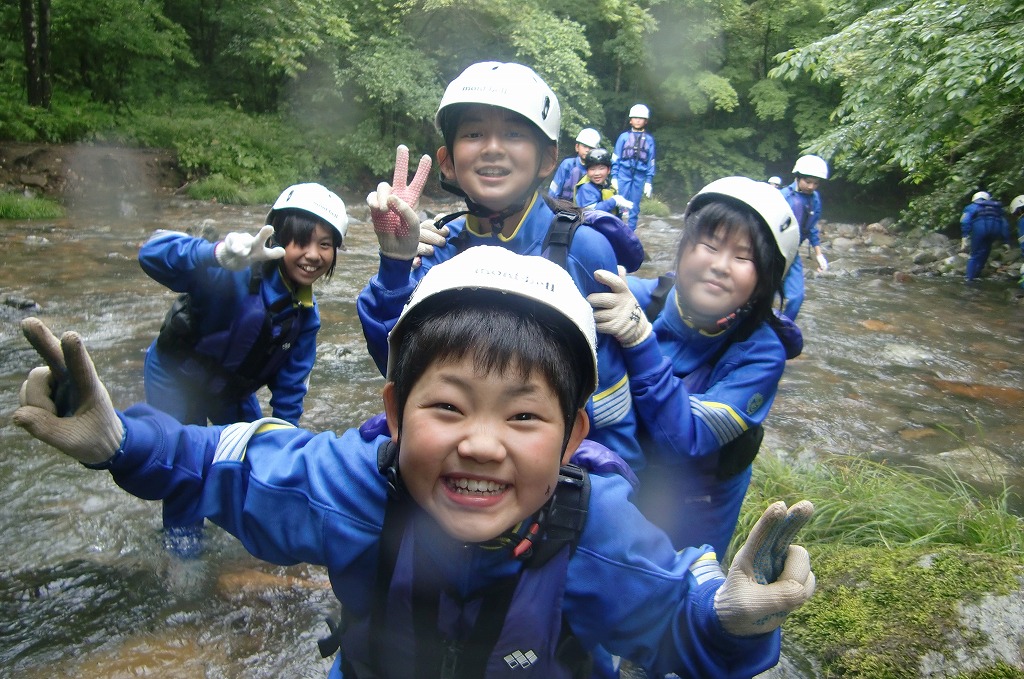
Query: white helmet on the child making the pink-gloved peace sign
[[510, 87]]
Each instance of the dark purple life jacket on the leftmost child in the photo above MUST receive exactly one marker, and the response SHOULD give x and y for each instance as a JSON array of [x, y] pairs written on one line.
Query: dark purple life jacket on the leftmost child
[[236, 362]]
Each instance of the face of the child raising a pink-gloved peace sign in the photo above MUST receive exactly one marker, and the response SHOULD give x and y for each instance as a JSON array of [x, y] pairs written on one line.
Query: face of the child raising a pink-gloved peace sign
[[496, 157]]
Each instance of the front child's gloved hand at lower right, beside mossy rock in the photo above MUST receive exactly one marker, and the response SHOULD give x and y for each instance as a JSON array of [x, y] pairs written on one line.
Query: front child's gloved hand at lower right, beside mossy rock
[[770, 578]]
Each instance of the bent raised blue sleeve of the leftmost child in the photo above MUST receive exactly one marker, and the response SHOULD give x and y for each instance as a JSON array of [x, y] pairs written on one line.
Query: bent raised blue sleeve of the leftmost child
[[176, 260]]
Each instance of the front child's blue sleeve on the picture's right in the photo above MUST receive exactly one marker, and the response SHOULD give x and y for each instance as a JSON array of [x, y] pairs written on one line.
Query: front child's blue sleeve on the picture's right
[[630, 591]]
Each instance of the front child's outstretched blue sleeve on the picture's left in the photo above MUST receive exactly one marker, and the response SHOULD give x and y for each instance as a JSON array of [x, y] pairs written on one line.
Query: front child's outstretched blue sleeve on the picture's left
[[288, 495]]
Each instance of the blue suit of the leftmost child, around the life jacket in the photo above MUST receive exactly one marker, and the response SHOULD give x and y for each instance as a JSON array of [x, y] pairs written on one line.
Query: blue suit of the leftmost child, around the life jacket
[[179, 387]]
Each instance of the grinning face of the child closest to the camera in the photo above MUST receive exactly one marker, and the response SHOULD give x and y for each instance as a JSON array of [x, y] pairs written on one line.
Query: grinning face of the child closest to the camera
[[481, 452]]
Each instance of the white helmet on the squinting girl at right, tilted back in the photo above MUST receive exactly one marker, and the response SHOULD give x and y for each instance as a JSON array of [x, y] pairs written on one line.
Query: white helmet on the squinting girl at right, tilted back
[[766, 202]]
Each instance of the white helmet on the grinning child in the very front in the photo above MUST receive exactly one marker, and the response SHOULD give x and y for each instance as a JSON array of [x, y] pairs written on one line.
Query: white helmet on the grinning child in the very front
[[532, 280]]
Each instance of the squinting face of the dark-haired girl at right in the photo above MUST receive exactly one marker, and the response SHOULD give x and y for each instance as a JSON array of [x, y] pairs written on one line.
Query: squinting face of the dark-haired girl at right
[[715, 277]]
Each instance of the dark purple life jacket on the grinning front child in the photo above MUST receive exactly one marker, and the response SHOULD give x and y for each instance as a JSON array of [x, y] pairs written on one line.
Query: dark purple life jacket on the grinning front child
[[515, 628]]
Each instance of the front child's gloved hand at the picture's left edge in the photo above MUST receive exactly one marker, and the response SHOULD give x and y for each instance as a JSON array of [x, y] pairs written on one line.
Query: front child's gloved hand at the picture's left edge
[[93, 433]]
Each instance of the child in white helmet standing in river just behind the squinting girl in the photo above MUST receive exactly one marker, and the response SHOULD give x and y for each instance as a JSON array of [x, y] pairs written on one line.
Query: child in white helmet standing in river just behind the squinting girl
[[805, 201]]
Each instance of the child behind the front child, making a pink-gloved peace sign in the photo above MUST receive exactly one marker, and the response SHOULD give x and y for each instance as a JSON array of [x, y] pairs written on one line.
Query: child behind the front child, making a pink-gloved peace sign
[[500, 123]]
